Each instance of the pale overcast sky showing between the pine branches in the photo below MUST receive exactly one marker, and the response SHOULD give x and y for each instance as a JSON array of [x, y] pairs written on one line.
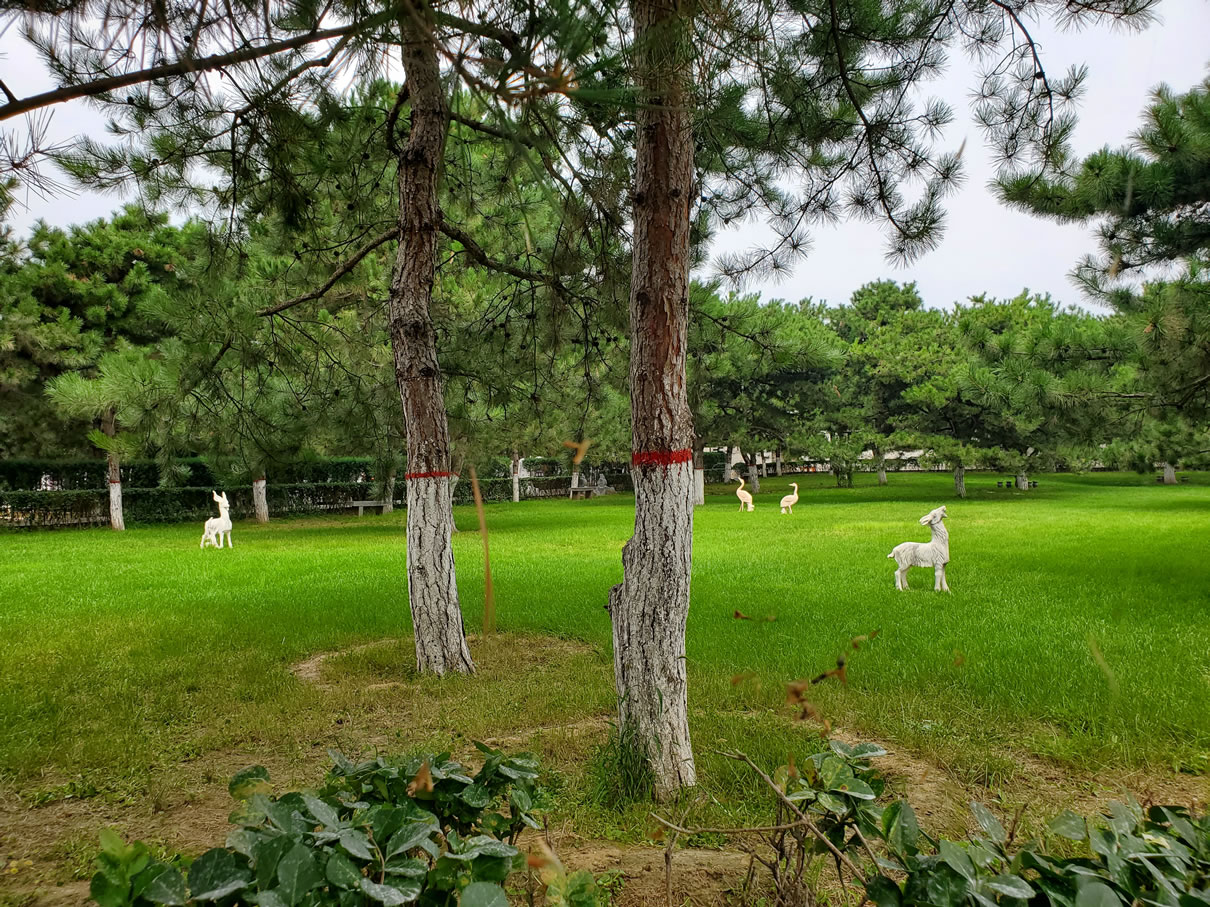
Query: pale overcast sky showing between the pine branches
[[988, 249]]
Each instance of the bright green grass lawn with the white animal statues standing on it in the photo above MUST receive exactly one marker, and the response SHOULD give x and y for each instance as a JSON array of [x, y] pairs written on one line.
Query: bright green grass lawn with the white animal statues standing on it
[[1079, 631]]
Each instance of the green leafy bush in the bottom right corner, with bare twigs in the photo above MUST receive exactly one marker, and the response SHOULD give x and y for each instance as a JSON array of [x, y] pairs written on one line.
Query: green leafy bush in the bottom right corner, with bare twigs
[[1159, 857]]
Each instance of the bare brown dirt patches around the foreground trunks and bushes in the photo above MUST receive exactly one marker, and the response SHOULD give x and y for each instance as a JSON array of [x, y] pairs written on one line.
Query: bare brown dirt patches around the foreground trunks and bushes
[[47, 852]]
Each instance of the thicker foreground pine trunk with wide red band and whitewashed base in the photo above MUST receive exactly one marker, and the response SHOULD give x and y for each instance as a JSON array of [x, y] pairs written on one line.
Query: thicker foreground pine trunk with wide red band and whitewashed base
[[650, 608]]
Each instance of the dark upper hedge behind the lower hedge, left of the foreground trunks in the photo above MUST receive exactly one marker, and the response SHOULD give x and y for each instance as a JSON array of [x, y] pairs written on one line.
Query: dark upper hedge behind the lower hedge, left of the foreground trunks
[[186, 473]]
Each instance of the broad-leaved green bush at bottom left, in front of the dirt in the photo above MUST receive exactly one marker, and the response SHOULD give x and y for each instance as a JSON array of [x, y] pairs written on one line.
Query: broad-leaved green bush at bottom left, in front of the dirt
[[391, 831]]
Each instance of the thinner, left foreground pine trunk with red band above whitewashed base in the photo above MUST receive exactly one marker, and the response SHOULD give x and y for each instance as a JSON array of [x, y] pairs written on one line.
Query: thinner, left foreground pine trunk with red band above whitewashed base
[[433, 590]]
